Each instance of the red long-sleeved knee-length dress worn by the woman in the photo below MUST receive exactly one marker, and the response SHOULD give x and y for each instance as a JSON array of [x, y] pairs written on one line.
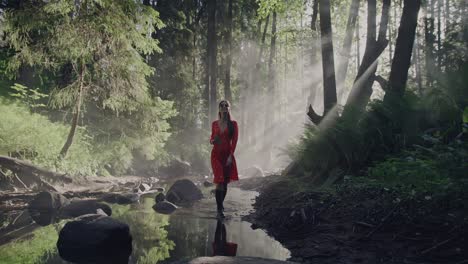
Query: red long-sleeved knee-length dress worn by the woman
[[221, 152]]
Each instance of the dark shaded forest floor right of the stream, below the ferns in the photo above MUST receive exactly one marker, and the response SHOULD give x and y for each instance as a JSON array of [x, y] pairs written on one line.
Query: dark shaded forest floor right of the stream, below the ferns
[[361, 223]]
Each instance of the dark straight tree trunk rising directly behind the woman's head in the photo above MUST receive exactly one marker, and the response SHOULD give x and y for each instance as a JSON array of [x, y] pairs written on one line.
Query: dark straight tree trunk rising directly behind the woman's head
[[212, 61]]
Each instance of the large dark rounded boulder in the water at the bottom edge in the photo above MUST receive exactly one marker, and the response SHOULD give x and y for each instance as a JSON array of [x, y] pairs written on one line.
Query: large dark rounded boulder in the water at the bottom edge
[[95, 239]]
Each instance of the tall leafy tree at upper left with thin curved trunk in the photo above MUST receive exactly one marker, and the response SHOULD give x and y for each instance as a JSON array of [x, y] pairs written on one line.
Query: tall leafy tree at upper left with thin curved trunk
[[105, 61]]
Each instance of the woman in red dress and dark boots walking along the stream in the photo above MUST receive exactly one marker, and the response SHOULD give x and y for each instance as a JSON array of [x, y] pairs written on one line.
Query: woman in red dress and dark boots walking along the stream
[[224, 133]]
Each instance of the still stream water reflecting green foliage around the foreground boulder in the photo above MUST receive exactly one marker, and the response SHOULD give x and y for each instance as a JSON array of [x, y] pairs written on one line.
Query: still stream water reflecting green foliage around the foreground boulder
[[157, 238]]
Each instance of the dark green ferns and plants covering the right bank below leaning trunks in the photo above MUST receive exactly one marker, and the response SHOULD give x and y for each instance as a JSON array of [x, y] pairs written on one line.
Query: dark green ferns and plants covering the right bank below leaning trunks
[[356, 140]]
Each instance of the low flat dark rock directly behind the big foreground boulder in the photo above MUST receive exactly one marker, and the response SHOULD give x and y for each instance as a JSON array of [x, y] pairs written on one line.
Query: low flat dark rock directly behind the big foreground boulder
[[83, 207]]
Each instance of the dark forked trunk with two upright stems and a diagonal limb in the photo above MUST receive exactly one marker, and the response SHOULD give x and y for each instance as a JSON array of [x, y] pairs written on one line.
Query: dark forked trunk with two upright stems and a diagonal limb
[[362, 87]]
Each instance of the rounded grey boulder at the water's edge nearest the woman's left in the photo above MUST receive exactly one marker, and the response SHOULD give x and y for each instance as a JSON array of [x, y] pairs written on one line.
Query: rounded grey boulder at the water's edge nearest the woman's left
[[183, 192]]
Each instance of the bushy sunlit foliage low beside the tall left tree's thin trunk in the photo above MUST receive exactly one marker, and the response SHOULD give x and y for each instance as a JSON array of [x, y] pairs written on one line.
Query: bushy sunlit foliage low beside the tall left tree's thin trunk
[[133, 135]]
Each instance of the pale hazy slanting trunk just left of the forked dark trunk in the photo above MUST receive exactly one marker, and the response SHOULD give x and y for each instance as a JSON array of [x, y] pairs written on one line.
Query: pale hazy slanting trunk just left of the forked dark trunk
[[347, 43]]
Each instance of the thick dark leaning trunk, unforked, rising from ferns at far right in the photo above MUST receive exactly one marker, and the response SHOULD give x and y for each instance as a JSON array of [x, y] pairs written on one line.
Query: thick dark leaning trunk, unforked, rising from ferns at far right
[[403, 49]]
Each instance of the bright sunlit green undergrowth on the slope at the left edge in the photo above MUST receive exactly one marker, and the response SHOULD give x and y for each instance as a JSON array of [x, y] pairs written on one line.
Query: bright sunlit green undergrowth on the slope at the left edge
[[32, 136]]
